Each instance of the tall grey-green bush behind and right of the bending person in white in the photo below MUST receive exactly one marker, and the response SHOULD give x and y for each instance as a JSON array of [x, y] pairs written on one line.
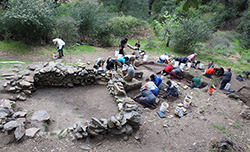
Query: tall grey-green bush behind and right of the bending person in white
[[92, 23]]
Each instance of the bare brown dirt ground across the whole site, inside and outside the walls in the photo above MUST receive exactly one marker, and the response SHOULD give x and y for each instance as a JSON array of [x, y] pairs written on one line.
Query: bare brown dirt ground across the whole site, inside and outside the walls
[[209, 117]]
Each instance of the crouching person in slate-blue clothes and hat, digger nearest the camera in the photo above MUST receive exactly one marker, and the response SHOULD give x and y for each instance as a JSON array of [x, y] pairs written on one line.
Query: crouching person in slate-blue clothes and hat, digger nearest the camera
[[146, 97]]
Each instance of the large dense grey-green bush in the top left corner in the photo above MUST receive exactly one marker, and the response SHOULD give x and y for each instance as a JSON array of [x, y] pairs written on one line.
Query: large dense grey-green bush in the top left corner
[[30, 21]]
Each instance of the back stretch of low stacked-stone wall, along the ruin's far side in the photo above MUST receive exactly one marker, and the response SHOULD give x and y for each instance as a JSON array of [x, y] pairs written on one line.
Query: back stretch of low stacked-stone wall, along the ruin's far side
[[51, 74]]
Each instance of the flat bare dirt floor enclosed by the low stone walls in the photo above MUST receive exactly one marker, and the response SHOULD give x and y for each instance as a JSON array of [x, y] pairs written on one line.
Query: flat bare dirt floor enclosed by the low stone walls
[[69, 105]]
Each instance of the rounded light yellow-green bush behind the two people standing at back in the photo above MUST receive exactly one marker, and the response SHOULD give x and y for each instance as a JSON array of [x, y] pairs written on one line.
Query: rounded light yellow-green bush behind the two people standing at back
[[124, 25]]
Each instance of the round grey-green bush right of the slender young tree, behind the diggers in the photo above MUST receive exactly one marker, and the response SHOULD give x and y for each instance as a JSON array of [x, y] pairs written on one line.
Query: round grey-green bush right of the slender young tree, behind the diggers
[[188, 34]]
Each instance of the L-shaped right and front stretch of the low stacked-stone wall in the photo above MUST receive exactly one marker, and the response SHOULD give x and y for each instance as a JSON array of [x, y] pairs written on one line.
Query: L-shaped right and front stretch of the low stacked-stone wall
[[125, 122]]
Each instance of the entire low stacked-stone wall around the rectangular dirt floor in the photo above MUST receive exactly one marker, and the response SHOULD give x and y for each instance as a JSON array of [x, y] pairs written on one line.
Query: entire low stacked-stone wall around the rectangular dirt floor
[[60, 75]]
